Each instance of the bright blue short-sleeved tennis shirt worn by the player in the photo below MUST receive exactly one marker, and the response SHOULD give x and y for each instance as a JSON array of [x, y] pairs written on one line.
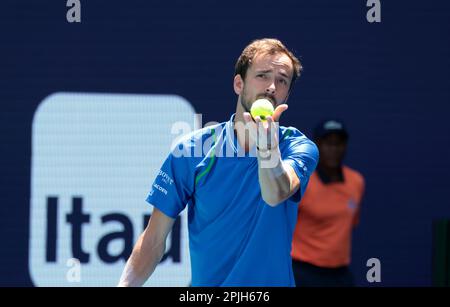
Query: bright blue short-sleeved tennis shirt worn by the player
[[235, 238]]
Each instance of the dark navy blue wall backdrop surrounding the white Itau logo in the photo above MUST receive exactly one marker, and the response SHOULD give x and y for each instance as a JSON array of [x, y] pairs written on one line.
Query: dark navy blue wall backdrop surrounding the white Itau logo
[[389, 81]]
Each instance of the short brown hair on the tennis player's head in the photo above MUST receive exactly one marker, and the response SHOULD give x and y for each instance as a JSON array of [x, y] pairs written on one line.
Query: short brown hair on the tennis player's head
[[265, 46]]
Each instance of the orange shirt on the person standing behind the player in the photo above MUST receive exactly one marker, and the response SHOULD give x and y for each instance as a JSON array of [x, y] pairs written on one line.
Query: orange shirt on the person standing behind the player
[[326, 216]]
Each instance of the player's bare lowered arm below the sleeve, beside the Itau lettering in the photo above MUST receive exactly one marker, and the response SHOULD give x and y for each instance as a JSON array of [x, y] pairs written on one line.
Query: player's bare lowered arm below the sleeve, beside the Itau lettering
[[148, 251]]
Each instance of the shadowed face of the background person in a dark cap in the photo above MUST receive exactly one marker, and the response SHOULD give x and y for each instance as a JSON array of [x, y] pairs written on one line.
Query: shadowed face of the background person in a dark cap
[[332, 149]]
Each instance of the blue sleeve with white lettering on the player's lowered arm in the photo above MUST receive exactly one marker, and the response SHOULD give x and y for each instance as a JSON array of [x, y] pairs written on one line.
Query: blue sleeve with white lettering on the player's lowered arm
[[173, 186]]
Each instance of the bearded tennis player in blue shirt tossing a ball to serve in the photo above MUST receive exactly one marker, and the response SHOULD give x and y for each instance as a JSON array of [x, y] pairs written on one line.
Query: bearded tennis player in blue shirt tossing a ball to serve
[[241, 191]]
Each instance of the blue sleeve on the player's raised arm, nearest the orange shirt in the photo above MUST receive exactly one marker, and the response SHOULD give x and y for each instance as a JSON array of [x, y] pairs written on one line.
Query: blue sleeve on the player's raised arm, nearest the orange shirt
[[302, 154]]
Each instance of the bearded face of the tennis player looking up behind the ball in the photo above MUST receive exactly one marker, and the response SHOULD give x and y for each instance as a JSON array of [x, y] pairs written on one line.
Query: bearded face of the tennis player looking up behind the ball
[[268, 76]]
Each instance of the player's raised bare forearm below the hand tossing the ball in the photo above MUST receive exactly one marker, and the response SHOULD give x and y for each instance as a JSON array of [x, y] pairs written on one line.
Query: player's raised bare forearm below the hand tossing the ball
[[274, 179]]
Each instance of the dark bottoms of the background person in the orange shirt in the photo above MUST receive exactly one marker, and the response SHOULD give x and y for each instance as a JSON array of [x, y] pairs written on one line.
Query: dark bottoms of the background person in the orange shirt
[[308, 275]]
